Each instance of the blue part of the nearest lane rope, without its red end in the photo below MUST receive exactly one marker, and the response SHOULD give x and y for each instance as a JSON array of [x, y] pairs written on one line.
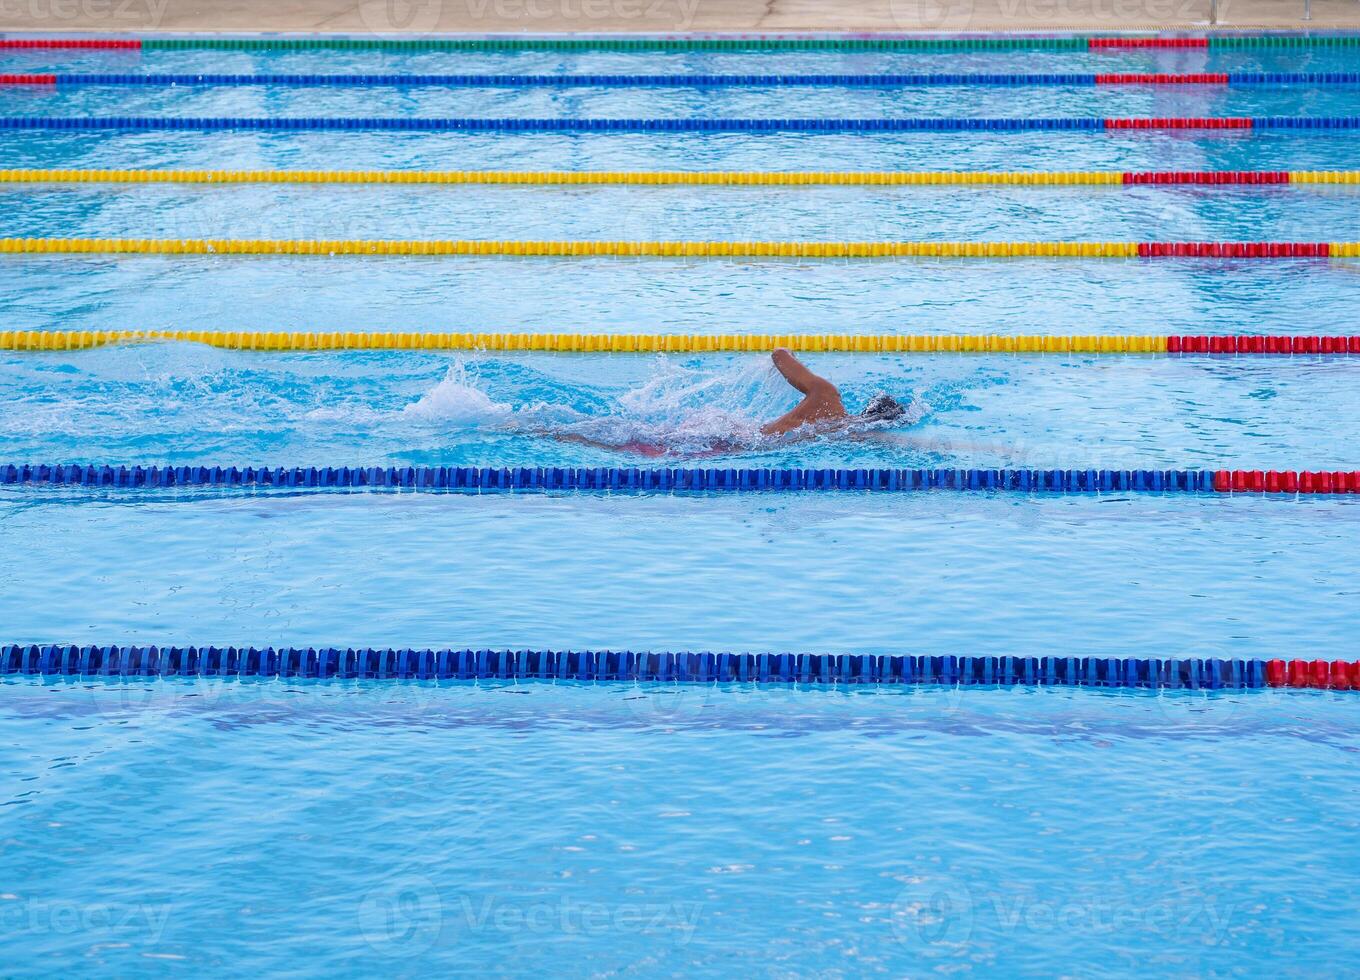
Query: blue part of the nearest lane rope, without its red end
[[473, 665]]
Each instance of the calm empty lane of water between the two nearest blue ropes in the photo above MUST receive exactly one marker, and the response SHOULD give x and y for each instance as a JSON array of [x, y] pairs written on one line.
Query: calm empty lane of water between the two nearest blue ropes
[[1110, 577]]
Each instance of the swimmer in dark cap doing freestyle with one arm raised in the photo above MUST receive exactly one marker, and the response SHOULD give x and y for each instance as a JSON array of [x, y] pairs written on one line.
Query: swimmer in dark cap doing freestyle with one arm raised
[[821, 413]]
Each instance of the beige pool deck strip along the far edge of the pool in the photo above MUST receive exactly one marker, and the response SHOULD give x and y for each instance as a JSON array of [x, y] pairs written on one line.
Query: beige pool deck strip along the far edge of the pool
[[539, 17]]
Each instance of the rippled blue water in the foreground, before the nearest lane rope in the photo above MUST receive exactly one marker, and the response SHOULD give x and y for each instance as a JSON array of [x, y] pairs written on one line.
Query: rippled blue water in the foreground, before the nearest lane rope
[[406, 830]]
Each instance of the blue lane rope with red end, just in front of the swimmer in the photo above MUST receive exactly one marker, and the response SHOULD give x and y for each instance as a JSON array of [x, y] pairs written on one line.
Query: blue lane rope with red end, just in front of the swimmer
[[673, 480]]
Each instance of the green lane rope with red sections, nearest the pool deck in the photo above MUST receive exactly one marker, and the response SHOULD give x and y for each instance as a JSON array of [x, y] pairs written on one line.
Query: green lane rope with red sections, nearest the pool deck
[[1003, 43]]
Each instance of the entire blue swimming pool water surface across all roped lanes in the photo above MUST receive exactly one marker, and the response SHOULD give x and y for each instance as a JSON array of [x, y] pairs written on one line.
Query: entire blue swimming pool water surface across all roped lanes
[[352, 827]]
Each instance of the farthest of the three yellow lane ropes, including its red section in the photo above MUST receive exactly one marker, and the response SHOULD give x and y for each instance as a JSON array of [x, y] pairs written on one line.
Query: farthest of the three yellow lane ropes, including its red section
[[696, 177]]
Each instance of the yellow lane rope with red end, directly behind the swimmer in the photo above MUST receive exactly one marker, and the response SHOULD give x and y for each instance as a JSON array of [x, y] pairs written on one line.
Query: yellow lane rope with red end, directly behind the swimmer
[[692, 343]]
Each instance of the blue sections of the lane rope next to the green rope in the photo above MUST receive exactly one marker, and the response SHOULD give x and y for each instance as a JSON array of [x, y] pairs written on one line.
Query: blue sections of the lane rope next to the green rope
[[891, 81]]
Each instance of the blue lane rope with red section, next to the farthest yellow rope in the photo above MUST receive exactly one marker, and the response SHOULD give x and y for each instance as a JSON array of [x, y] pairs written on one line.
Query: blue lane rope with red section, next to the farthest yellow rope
[[678, 126]]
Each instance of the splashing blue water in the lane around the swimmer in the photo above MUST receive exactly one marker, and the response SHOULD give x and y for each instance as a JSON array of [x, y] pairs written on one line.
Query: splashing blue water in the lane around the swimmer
[[202, 406]]
